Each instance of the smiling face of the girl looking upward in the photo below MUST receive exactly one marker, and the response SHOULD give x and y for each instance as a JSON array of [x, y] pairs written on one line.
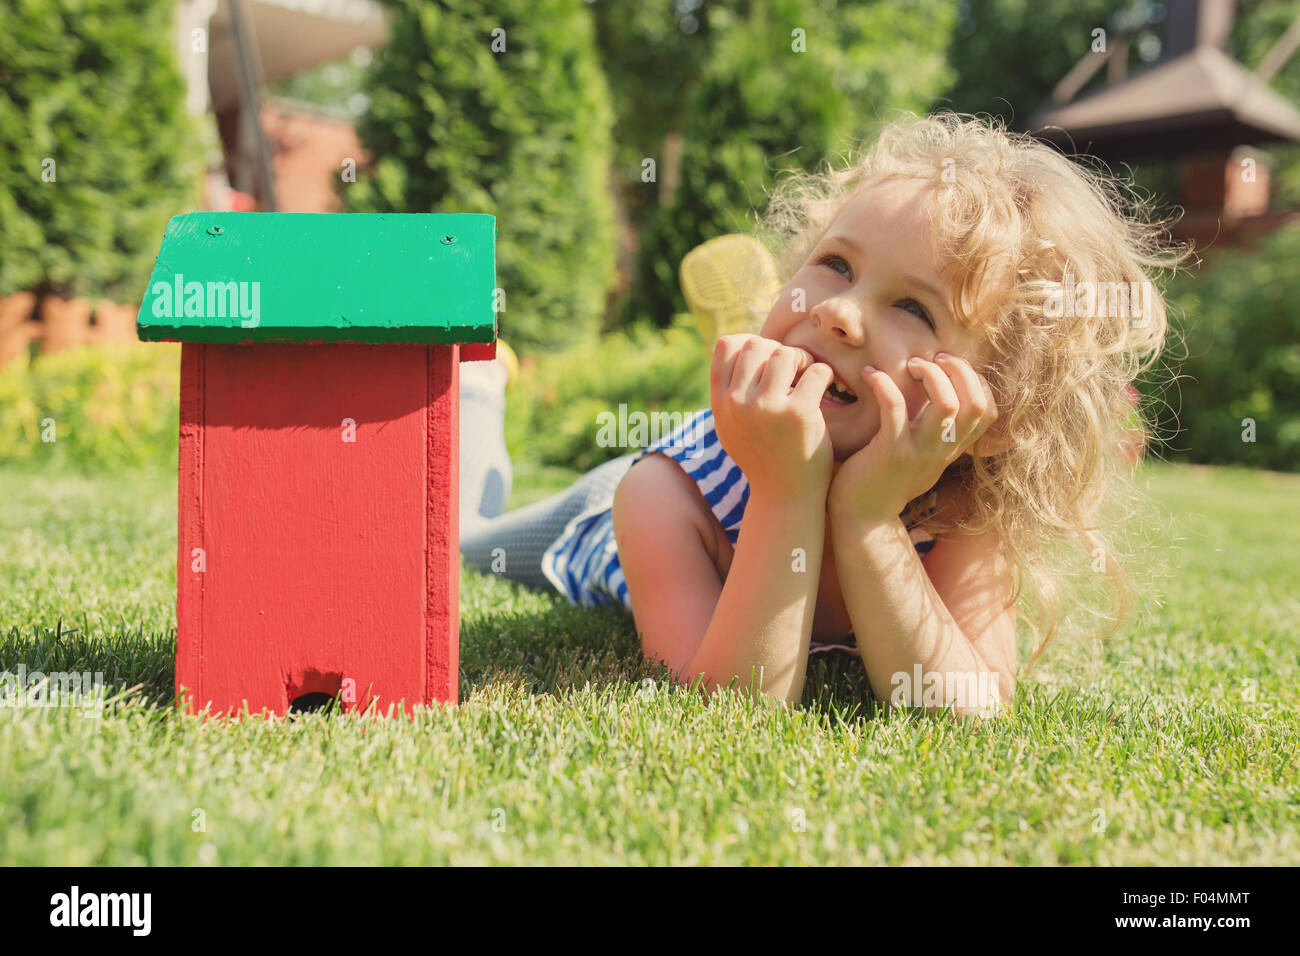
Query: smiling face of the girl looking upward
[[873, 295]]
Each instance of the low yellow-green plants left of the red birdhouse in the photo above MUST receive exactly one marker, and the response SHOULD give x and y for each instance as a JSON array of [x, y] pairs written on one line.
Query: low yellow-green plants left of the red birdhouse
[[103, 406]]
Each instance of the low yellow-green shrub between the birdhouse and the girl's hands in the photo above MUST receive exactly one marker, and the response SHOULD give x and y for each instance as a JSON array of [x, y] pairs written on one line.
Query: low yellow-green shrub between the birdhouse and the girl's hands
[[553, 409]]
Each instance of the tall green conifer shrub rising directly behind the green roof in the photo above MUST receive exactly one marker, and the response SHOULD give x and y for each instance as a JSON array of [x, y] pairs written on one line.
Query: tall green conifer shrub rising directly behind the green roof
[[522, 135]]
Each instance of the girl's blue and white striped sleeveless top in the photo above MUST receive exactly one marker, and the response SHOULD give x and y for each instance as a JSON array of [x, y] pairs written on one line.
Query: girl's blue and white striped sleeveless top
[[584, 565]]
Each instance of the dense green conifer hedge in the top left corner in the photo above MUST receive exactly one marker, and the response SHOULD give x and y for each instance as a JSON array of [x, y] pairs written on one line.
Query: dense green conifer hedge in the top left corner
[[97, 146]]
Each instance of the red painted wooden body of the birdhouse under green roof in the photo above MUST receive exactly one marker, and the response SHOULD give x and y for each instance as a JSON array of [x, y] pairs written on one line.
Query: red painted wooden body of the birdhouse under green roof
[[326, 560]]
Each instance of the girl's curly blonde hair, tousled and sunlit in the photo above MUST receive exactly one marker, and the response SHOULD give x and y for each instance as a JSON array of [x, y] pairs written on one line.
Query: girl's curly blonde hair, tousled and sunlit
[[1020, 222]]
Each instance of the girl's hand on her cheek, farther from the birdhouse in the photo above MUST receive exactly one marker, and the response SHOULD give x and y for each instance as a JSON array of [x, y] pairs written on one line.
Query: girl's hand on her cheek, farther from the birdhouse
[[907, 458]]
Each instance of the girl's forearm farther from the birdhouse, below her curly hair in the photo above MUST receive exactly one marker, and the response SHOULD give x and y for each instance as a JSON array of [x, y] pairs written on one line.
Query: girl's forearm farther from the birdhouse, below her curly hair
[[913, 650]]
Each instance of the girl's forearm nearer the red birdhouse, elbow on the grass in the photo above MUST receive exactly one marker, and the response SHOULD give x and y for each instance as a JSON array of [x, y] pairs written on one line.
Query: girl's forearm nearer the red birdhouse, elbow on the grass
[[764, 622]]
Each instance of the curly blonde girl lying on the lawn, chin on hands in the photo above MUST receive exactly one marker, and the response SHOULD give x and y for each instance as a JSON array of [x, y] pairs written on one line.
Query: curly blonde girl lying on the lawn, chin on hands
[[937, 396]]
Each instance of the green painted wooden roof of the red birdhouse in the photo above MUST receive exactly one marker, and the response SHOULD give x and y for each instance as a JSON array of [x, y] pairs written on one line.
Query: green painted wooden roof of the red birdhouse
[[335, 278]]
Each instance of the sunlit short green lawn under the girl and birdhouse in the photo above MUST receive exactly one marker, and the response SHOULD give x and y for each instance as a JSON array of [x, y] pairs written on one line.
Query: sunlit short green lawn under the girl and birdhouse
[[1176, 743]]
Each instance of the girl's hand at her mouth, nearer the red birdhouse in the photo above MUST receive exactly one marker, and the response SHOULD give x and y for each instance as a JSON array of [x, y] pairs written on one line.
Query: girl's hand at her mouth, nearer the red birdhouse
[[773, 431]]
